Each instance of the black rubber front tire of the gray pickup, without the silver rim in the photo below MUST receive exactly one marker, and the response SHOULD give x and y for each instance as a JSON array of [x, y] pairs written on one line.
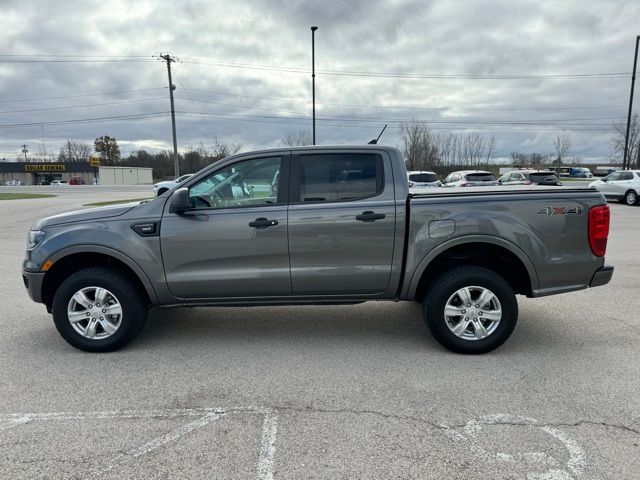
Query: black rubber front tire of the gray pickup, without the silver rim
[[134, 305]]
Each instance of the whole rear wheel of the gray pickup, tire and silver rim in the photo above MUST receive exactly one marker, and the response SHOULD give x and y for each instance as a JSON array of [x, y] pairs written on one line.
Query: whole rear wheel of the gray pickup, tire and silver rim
[[471, 310]]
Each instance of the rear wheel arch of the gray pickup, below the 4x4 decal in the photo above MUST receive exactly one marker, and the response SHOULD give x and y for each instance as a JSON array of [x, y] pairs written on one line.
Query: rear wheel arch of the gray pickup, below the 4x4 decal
[[496, 254]]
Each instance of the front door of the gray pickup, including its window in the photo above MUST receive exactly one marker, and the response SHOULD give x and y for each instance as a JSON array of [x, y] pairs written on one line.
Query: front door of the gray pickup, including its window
[[232, 242]]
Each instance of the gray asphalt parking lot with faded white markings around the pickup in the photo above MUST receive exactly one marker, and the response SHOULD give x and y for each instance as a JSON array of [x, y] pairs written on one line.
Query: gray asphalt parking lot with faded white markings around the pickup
[[357, 391]]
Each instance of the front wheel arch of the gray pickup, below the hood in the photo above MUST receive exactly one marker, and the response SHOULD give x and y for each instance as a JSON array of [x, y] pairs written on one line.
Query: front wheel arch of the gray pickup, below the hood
[[72, 259]]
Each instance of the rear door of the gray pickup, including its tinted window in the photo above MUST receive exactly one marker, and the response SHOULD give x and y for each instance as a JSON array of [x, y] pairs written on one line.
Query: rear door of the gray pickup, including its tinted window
[[342, 220]]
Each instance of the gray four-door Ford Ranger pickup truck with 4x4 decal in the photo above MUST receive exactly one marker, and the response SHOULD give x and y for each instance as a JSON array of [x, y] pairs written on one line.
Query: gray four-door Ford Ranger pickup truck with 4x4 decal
[[318, 225]]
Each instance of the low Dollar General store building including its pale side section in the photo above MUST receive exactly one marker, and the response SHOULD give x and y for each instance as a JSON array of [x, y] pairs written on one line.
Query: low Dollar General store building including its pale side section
[[43, 173]]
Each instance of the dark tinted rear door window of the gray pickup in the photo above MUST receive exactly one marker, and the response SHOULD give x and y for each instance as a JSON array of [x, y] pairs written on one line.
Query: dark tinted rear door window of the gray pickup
[[340, 177]]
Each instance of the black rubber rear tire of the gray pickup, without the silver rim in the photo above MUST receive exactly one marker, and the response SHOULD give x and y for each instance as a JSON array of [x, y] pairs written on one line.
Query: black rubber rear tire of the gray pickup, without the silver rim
[[465, 276]]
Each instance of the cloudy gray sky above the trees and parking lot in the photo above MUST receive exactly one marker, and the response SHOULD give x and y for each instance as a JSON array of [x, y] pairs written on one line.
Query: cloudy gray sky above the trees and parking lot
[[244, 74]]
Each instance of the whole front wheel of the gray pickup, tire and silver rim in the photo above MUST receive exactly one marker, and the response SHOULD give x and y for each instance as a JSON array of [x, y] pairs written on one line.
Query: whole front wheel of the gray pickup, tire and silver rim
[[99, 309]]
